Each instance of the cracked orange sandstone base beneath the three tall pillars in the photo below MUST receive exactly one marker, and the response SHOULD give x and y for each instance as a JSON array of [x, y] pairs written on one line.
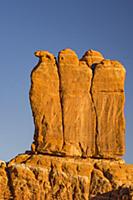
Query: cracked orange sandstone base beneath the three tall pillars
[[44, 177]]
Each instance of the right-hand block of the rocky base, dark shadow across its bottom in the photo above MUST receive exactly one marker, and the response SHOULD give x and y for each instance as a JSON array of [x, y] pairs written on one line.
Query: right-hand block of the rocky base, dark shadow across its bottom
[[111, 180]]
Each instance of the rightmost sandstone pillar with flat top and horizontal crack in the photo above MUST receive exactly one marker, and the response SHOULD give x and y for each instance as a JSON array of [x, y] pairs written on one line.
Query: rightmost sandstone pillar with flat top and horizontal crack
[[108, 97]]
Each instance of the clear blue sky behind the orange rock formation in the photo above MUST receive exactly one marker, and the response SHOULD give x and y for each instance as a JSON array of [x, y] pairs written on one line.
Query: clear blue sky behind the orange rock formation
[[28, 25]]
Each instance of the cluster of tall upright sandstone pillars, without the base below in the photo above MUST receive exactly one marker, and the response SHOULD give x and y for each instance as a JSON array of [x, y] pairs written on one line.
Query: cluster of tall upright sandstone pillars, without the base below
[[78, 105]]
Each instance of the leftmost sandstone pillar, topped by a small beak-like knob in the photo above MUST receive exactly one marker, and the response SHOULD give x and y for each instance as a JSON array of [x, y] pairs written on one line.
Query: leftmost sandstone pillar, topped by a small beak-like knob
[[45, 103]]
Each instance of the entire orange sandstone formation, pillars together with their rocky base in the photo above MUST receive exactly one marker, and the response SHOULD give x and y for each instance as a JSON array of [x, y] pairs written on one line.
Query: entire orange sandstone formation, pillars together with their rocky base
[[78, 111]]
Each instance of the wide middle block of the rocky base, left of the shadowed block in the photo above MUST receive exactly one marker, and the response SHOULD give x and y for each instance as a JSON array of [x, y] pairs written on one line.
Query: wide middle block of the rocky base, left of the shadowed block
[[50, 178]]
